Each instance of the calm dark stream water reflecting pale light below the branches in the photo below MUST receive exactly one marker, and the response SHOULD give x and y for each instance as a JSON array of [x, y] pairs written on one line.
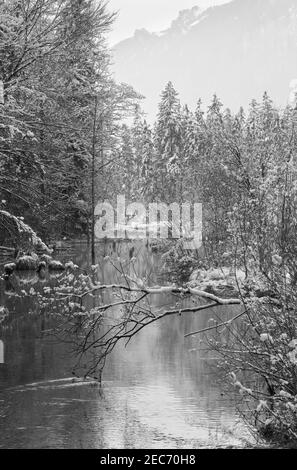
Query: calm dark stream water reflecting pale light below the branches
[[162, 391]]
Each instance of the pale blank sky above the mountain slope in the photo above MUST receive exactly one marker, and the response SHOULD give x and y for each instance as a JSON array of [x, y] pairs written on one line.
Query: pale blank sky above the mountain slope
[[153, 15]]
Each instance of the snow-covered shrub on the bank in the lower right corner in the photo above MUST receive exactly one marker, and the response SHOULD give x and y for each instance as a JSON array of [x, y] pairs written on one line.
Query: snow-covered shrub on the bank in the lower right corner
[[259, 354]]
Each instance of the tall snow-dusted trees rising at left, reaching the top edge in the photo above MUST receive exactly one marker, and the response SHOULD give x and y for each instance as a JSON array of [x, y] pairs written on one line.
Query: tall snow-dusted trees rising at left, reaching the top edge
[[60, 114]]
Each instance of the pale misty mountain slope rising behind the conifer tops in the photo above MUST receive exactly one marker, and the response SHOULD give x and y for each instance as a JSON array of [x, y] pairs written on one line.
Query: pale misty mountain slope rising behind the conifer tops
[[237, 50]]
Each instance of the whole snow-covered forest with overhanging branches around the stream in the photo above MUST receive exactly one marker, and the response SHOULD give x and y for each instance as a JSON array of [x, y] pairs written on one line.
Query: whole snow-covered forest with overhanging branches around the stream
[[71, 136]]
